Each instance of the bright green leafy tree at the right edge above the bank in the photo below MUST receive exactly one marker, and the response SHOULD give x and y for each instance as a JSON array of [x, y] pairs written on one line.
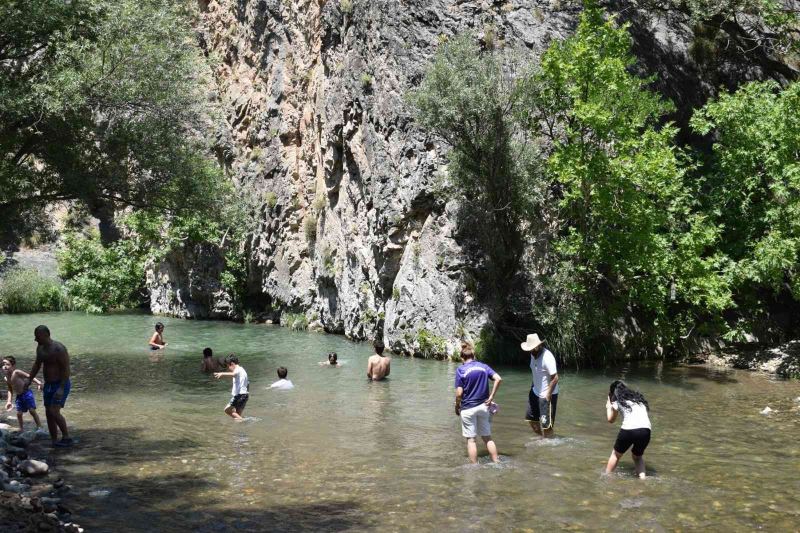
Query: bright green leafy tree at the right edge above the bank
[[753, 184]]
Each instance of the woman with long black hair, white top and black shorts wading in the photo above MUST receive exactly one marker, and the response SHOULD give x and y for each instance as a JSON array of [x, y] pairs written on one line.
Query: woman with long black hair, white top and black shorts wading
[[635, 430]]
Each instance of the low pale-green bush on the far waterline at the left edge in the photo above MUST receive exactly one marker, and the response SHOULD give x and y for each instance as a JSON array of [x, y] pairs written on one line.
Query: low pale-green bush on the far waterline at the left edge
[[27, 291]]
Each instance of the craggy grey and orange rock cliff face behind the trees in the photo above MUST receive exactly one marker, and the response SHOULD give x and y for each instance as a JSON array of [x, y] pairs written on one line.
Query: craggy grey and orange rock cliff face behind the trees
[[319, 140]]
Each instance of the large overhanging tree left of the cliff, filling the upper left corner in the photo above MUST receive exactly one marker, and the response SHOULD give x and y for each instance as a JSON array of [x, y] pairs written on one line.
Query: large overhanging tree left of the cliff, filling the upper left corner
[[94, 112]]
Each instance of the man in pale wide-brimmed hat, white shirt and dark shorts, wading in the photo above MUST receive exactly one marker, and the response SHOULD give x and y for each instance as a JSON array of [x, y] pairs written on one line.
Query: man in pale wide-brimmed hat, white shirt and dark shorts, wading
[[543, 396]]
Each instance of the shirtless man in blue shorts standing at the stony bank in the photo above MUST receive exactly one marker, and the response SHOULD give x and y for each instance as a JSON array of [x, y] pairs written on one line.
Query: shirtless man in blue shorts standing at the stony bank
[[55, 359]]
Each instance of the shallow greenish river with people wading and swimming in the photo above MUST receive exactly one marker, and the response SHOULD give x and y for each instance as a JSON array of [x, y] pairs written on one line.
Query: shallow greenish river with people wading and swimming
[[156, 452]]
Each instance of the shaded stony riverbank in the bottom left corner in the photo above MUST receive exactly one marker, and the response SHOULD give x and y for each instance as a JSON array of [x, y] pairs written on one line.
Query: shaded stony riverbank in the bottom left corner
[[31, 493]]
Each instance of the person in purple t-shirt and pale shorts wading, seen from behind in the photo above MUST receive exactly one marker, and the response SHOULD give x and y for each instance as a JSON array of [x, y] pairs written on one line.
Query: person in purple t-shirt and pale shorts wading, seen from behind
[[473, 400]]
